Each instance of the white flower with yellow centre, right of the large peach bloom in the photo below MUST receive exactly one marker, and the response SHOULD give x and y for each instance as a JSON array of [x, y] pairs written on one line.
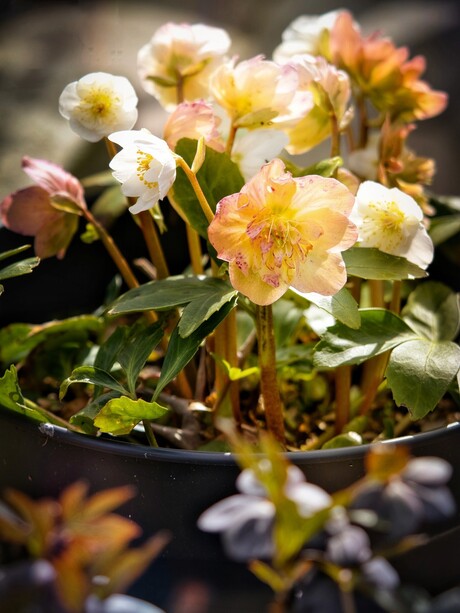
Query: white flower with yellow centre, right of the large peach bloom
[[391, 221]]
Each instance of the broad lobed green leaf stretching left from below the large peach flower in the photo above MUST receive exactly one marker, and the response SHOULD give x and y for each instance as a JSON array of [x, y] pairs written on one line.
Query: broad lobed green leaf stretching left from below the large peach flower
[[202, 295]]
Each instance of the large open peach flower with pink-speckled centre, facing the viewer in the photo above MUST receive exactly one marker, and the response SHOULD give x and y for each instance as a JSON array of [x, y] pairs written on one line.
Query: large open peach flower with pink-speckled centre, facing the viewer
[[281, 231]]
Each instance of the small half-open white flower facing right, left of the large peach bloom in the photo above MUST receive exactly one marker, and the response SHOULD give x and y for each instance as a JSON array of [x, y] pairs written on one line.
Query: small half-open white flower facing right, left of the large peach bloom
[[145, 167]]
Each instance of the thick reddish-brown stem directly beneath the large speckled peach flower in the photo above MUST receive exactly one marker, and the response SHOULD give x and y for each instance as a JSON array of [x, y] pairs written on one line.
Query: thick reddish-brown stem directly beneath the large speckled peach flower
[[268, 379]]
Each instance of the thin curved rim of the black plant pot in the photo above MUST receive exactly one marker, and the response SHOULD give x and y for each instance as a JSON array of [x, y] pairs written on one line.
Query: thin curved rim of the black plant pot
[[133, 450]]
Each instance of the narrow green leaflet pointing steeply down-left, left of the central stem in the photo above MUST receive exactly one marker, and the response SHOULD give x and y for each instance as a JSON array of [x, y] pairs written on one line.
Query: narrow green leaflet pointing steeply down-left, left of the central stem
[[181, 350]]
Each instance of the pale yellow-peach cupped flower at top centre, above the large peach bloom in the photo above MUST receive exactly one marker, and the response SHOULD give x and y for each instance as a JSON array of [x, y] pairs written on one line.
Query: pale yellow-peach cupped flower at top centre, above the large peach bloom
[[258, 93]]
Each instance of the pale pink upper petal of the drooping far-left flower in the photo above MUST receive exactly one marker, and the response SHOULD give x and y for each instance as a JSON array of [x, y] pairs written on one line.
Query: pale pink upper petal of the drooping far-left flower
[[54, 179]]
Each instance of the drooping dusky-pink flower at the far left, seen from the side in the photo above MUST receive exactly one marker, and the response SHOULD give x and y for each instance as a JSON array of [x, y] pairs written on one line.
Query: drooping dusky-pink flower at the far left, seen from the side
[[40, 210]]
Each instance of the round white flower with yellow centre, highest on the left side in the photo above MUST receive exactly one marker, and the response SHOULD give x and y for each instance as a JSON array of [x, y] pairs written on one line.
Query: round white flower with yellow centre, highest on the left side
[[99, 104]]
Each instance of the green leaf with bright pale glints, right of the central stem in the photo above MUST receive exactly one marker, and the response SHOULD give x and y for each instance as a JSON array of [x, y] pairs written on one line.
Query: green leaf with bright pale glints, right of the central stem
[[380, 331]]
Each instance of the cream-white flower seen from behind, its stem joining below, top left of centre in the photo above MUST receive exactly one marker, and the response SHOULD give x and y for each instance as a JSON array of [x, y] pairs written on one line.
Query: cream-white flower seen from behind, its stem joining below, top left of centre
[[176, 64]]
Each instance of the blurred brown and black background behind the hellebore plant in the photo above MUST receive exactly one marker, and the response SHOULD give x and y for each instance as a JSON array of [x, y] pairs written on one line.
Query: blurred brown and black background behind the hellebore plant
[[46, 45]]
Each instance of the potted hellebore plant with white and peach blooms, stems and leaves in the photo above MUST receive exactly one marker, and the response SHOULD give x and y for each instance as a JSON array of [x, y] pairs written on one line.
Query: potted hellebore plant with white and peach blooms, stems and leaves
[[305, 308]]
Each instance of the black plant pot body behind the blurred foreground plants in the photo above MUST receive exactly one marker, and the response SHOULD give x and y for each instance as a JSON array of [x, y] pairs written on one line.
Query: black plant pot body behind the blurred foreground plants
[[174, 487]]
